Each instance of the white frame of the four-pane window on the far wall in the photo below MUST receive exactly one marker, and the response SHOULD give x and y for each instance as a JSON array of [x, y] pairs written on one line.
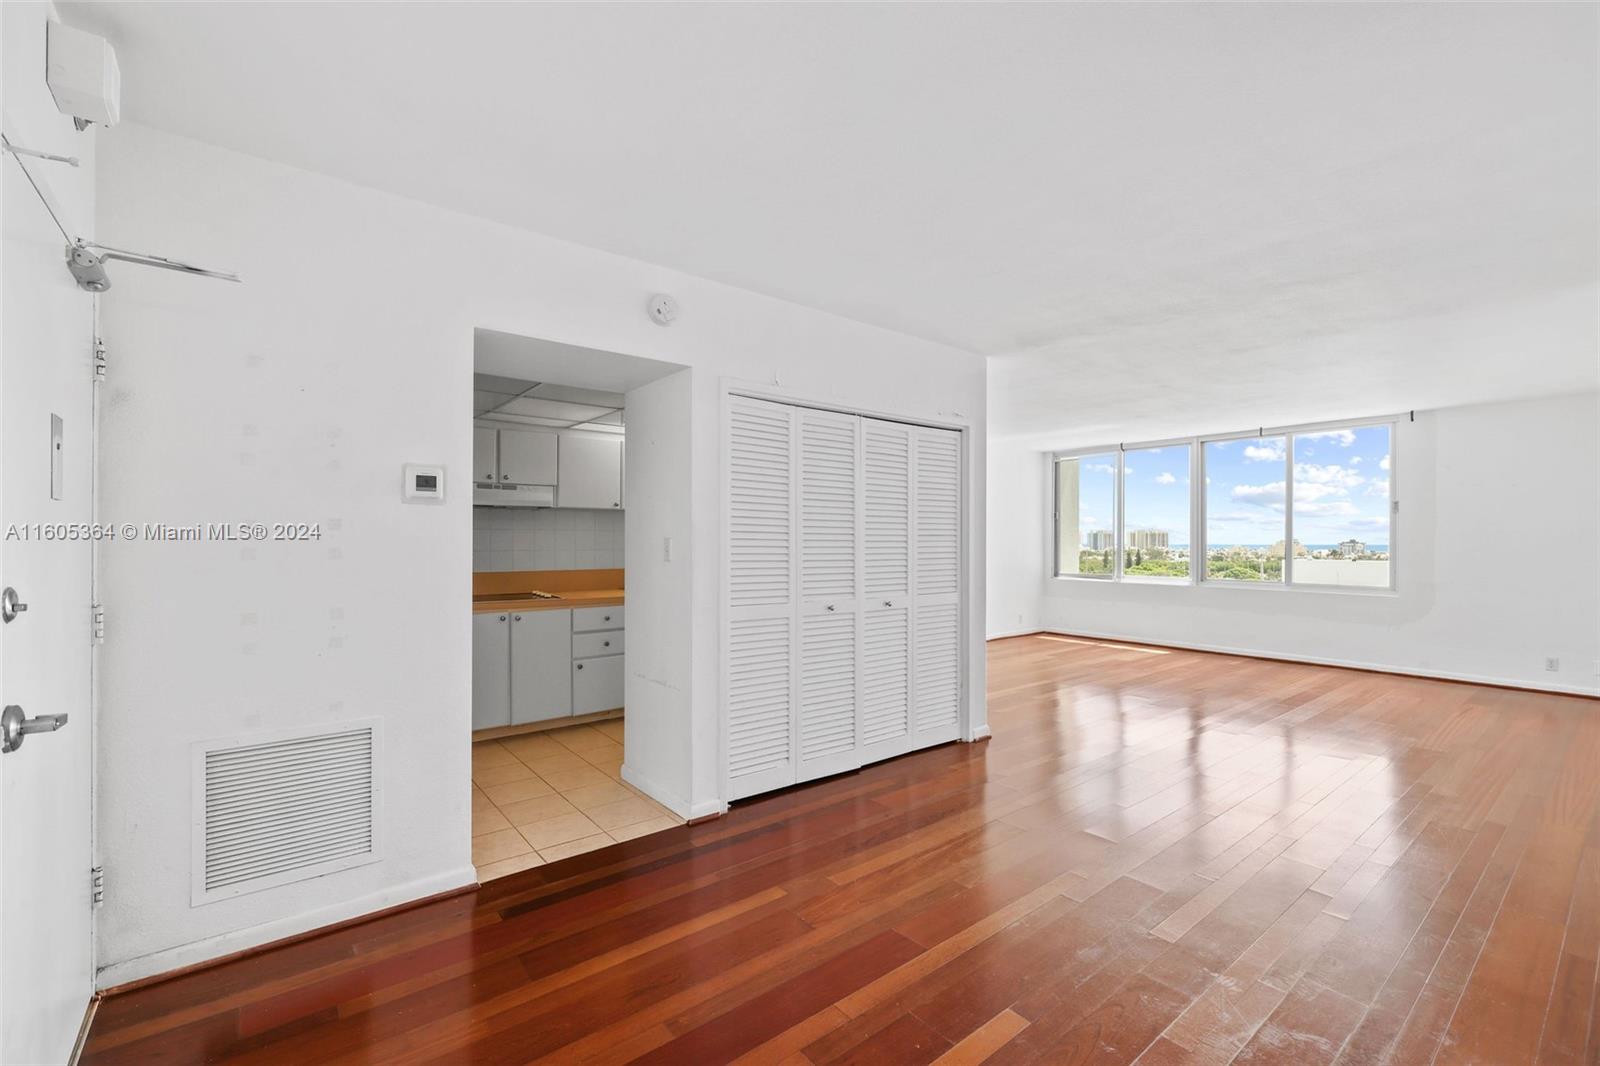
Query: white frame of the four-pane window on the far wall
[[1199, 547]]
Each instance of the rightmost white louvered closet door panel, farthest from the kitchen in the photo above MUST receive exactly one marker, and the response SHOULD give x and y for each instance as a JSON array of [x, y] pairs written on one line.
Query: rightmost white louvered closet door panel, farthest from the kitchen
[[937, 585]]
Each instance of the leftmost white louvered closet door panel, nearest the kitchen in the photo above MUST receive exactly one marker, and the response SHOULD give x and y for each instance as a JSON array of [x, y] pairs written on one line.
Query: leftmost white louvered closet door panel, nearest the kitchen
[[761, 639]]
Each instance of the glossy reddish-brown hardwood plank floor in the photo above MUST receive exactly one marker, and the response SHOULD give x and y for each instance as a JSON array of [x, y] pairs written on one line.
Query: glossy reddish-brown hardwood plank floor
[[1162, 857]]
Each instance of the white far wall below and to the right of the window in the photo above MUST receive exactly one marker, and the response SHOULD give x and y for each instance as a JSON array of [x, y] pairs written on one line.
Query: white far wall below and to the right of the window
[[1498, 564]]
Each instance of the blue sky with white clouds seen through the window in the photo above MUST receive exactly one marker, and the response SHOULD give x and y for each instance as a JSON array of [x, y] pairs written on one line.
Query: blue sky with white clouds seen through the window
[[1342, 489]]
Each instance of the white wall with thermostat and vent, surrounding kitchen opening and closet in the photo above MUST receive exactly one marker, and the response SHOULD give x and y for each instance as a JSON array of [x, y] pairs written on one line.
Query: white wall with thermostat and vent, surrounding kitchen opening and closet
[[298, 396]]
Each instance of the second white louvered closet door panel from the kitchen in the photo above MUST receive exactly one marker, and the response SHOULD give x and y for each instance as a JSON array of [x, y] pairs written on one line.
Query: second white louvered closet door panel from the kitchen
[[830, 479]]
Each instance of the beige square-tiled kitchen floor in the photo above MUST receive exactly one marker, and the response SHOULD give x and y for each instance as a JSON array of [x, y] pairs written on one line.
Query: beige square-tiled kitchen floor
[[554, 795]]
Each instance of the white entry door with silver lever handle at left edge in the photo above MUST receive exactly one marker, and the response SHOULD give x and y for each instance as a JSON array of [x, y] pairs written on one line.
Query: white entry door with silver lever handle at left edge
[[46, 374]]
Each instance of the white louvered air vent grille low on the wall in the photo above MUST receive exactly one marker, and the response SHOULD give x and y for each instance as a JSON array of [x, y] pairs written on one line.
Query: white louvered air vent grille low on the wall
[[284, 809]]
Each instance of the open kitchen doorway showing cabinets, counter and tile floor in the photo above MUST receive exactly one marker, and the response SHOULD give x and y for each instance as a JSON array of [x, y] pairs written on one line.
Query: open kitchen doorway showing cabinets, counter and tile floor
[[551, 635]]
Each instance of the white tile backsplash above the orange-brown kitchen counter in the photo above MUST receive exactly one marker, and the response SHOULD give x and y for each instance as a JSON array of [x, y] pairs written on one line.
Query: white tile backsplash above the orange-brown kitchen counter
[[538, 539]]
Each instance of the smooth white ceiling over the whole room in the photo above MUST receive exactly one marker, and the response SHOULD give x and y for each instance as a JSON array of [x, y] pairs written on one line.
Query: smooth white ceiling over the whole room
[[1150, 209]]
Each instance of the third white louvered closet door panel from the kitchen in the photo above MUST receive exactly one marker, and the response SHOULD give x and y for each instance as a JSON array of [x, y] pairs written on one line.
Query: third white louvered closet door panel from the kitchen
[[886, 651]]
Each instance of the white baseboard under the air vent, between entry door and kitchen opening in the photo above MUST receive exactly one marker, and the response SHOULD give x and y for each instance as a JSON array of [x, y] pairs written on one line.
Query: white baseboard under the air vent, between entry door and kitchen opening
[[170, 963]]
